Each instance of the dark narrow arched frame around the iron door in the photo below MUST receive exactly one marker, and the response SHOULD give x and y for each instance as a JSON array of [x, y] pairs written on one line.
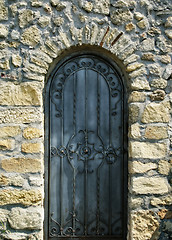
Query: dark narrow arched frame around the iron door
[[114, 62]]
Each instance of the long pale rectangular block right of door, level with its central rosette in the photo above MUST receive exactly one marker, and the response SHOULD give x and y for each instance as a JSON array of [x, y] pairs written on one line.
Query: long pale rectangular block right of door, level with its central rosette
[[147, 150]]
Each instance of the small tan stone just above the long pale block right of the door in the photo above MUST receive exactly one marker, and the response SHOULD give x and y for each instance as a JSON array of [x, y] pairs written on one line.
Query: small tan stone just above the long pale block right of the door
[[156, 132]]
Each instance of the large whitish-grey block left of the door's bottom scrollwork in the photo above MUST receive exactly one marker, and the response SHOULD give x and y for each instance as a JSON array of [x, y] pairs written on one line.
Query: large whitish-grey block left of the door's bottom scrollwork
[[28, 218]]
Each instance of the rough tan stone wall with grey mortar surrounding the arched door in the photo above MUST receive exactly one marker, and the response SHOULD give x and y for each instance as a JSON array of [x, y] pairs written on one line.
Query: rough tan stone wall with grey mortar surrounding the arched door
[[33, 35]]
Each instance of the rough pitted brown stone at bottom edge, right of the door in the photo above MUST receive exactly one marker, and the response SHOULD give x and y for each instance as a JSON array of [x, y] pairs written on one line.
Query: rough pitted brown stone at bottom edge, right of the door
[[144, 225]]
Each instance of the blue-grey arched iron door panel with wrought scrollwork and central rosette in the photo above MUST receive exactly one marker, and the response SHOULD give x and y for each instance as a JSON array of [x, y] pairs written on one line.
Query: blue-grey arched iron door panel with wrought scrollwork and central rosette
[[86, 151]]
